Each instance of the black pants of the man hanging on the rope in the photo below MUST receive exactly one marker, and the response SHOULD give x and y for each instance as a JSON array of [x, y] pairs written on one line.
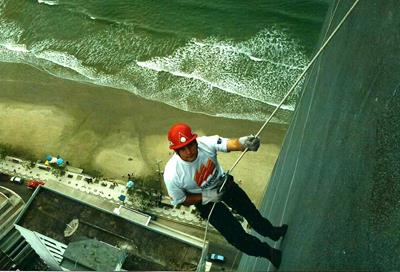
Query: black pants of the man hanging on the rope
[[224, 221]]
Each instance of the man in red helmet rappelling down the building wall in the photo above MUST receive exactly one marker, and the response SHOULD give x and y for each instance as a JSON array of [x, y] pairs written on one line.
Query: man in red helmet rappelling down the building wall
[[193, 176]]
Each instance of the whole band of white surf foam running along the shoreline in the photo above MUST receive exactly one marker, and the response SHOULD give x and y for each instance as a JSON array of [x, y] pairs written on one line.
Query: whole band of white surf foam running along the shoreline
[[222, 78]]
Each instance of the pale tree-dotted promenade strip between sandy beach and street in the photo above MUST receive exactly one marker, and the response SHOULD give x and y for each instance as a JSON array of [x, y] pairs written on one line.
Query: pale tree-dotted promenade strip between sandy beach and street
[[102, 193]]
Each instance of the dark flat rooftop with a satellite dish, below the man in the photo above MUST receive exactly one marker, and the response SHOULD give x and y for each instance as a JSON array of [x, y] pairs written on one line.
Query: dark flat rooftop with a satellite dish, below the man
[[48, 213]]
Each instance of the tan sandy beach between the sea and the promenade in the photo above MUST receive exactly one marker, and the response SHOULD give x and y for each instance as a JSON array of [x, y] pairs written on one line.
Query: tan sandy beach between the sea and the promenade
[[114, 131]]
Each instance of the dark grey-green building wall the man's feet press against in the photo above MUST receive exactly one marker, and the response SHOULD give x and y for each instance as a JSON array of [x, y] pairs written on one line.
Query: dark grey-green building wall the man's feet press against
[[337, 180]]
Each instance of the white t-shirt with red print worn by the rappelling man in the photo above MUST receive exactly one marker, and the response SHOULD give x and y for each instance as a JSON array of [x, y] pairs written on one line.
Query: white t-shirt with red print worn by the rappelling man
[[183, 177]]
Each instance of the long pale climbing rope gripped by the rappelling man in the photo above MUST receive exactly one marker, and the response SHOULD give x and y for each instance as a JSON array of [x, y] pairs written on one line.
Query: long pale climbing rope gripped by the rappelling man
[[280, 105]]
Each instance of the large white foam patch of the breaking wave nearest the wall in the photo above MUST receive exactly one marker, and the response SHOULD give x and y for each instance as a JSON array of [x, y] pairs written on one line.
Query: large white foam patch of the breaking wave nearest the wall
[[233, 67]]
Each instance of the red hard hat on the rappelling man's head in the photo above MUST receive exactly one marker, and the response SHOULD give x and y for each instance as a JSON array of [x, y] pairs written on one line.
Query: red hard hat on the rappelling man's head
[[180, 135]]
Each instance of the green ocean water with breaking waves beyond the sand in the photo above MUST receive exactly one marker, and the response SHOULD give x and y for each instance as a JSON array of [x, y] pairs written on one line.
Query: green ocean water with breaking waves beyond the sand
[[234, 59]]
